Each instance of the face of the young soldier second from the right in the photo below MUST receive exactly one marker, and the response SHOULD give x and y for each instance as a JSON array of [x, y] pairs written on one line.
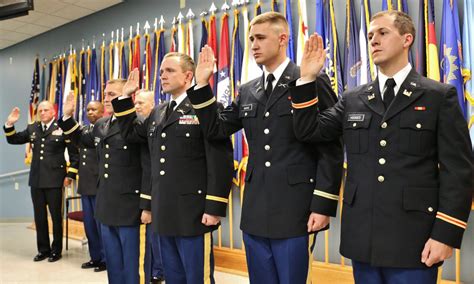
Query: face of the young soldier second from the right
[[265, 43]]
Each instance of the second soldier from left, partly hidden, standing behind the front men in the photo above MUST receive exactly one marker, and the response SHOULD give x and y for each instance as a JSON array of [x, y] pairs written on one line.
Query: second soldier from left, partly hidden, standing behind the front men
[[87, 188]]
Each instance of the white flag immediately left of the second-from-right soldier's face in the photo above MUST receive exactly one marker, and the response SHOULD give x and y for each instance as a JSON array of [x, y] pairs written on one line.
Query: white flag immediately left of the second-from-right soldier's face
[[250, 68]]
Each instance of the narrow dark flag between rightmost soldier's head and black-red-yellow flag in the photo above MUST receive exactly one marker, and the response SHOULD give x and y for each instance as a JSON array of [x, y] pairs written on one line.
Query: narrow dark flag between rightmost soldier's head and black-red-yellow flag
[[420, 44]]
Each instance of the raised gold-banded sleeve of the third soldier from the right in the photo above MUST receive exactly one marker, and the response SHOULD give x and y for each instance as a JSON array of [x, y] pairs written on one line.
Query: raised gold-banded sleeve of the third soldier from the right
[[131, 129]]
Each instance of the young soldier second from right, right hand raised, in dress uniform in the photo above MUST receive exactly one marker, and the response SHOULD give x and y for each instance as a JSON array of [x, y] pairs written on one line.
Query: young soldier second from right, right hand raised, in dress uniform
[[290, 187]]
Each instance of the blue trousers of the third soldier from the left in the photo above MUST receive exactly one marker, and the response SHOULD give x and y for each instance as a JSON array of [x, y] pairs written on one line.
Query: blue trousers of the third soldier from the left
[[121, 246]]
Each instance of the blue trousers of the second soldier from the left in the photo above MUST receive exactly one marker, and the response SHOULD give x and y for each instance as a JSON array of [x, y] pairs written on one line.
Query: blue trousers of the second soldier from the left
[[92, 228]]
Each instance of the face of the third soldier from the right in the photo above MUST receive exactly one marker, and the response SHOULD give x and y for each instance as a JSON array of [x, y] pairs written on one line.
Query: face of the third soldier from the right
[[173, 78]]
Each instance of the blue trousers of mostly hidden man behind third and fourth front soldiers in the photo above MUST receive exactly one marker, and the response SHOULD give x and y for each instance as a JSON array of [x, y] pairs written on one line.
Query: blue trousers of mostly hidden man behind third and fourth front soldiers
[[153, 263]]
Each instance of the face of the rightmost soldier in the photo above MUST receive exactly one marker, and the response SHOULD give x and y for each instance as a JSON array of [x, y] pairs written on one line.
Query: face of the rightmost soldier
[[385, 42]]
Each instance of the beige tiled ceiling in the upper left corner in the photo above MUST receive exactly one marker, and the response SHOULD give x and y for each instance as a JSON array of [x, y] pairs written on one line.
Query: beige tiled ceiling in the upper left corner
[[47, 15]]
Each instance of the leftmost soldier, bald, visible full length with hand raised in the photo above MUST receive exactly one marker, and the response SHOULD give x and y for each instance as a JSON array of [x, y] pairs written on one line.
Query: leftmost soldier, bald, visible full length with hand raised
[[48, 174]]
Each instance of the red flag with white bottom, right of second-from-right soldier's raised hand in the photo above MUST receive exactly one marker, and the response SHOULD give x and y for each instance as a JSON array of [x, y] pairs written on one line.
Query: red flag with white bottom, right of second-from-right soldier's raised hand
[[223, 81]]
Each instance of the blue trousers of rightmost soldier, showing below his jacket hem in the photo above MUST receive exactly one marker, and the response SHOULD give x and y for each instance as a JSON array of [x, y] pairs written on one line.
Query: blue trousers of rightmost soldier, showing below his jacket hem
[[365, 273]]
